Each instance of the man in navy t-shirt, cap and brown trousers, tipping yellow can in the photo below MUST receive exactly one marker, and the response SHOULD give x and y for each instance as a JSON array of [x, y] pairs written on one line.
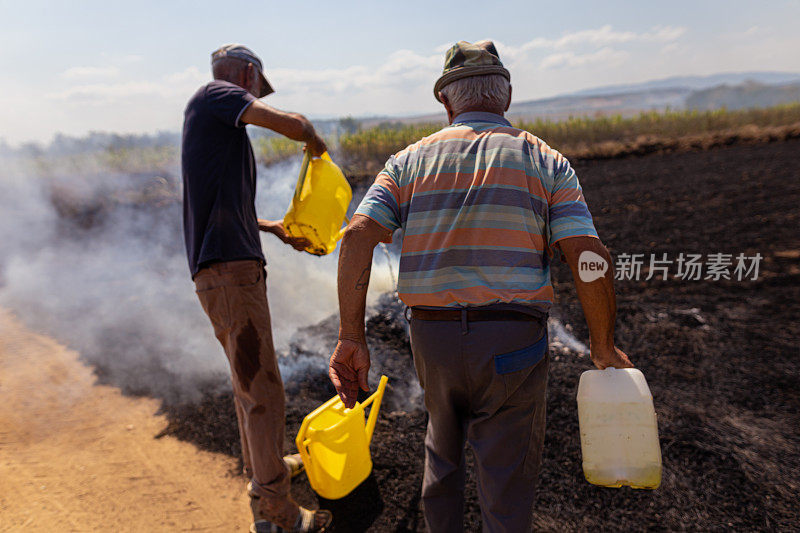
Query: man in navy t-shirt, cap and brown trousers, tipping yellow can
[[226, 262]]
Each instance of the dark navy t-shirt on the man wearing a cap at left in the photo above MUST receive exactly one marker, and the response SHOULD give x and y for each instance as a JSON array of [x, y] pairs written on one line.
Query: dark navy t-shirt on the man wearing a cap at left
[[219, 178]]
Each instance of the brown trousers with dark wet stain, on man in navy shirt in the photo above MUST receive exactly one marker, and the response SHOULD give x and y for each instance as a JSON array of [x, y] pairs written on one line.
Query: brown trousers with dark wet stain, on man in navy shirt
[[234, 296]]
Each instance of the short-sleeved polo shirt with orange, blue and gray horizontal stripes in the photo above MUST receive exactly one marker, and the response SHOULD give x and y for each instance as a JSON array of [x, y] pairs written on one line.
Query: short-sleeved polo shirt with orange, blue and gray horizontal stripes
[[481, 205]]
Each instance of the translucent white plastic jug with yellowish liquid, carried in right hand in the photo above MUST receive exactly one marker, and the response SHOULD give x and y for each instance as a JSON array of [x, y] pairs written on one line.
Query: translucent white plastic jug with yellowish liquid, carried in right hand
[[619, 435]]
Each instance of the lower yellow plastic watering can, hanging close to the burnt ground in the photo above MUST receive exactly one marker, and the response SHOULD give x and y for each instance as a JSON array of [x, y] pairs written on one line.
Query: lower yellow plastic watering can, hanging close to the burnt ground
[[334, 444]]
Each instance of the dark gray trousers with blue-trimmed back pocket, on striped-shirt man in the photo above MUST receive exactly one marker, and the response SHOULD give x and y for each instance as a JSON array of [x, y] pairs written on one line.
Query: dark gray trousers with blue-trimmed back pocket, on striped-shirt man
[[485, 384]]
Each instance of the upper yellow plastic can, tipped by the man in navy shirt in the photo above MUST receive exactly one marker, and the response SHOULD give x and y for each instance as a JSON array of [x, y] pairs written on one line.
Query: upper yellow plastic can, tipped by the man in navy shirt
[[319, 206]]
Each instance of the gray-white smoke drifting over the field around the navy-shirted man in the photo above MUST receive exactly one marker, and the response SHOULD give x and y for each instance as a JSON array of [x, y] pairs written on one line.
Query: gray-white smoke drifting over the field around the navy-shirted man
[[93, 254]]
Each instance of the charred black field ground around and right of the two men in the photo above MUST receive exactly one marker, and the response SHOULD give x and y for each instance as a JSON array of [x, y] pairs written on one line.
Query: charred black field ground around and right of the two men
[[721, 358]]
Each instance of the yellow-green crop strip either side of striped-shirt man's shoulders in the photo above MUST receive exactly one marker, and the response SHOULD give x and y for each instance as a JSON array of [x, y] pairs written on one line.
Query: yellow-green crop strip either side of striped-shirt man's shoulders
[[366, 150]]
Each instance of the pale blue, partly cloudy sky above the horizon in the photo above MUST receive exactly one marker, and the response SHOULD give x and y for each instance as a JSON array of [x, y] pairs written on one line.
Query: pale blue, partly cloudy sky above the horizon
[[130, 66]]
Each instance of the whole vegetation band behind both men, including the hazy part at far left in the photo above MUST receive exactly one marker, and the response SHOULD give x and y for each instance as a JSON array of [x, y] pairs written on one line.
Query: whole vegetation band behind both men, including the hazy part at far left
[[363, 152]]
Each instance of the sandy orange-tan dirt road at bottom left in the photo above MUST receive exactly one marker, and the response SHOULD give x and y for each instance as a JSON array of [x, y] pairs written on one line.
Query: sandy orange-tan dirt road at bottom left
[[75, 456]]
